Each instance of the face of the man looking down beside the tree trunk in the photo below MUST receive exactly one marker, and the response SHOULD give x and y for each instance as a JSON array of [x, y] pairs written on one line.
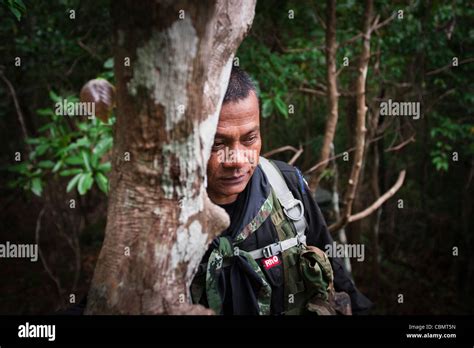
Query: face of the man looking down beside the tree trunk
[[235, 151]]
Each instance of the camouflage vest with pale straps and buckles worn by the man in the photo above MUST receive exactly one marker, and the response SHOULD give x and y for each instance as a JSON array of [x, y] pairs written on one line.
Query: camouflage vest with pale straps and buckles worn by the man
[[308, 275]]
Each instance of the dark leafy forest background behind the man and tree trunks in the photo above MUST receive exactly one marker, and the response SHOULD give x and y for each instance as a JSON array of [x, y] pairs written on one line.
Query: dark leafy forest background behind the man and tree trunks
[[410, 240]]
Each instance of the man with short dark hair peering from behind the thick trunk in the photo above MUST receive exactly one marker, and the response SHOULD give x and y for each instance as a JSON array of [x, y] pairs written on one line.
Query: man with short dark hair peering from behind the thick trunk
[[232, 281]]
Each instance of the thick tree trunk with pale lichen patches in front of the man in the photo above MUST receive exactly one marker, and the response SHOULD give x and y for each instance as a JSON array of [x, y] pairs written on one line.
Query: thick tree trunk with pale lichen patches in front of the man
[[160, 219]]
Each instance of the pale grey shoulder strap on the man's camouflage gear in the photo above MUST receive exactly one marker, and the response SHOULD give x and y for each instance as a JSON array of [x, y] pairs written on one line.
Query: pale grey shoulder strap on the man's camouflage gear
[[293, 208]]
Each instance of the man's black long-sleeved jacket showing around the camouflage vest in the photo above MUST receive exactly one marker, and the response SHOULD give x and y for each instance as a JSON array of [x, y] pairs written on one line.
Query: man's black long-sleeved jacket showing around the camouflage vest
[[238, 284]]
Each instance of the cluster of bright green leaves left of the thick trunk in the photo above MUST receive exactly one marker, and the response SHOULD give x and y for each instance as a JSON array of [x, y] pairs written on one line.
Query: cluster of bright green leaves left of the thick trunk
[[77, 151]]
